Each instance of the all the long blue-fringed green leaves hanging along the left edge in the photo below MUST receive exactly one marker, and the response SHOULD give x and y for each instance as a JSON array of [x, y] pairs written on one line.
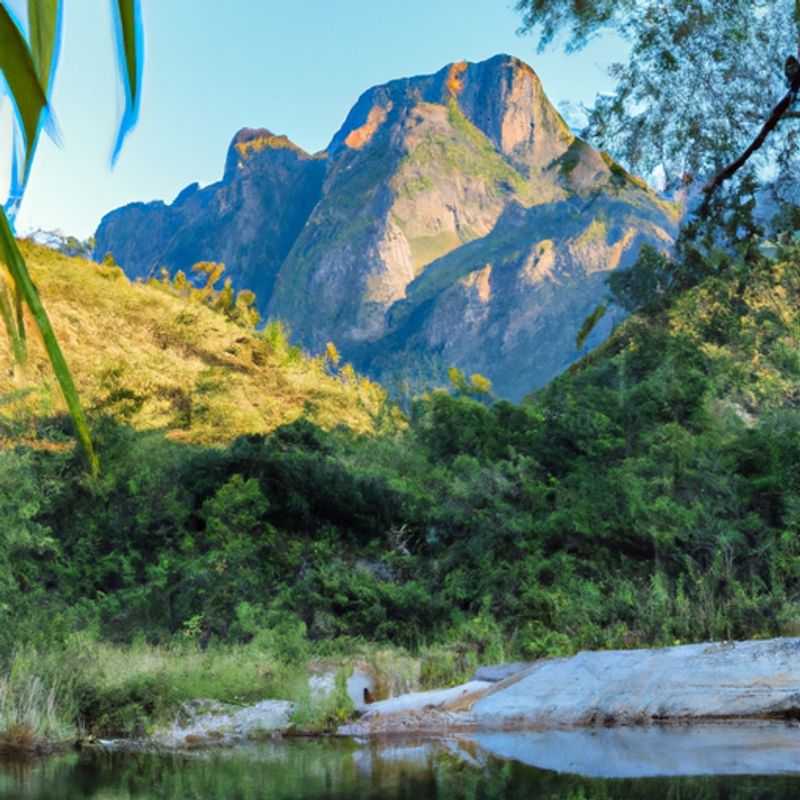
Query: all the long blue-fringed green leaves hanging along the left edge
[[28, 66]]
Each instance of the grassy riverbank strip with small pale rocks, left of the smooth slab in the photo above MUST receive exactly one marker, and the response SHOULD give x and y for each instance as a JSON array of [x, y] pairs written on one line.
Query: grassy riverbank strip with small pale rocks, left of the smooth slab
[[84, 690]]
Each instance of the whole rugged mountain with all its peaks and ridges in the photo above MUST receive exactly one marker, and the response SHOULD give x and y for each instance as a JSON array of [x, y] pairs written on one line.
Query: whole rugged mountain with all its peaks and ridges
[[454, 220]]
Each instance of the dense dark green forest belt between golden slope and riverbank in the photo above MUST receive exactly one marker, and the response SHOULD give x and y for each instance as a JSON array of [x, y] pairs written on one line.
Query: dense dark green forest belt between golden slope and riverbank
[[649, 495]]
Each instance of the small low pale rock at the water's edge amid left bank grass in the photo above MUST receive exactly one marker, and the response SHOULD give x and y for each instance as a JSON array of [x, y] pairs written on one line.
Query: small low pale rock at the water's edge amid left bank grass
[[202, 723]]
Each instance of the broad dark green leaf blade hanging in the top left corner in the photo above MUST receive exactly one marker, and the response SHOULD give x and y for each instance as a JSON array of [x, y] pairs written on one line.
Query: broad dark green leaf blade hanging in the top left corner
[[16, 64]]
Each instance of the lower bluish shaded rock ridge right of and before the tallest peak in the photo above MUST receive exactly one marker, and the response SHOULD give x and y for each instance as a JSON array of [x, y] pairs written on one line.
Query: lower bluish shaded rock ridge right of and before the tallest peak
[[510, 304]]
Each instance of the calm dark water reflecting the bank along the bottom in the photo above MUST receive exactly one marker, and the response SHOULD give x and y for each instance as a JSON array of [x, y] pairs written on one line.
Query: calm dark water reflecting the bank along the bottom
[[580, 765]]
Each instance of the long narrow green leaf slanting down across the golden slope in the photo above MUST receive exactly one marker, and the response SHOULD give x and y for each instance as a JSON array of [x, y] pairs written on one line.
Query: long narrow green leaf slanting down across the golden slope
[[10, 254]]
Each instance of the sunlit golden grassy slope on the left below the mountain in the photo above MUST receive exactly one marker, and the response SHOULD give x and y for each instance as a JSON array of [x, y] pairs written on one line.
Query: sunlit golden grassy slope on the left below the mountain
[[160, 361]]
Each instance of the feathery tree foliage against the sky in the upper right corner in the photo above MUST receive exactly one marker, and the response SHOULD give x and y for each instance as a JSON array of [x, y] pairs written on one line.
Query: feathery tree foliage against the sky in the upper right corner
[[708, 87]]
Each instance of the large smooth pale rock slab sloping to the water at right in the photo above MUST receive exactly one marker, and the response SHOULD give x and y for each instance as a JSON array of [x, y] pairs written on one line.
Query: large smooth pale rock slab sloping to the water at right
[[690, 683]]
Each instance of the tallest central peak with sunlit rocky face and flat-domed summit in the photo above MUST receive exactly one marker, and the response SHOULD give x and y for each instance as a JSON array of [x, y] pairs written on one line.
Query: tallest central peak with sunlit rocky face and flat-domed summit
[[421, 167]]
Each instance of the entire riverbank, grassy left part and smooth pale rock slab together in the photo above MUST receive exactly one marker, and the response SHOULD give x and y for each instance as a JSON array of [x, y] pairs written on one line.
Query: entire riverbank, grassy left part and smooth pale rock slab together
[[183, 697]]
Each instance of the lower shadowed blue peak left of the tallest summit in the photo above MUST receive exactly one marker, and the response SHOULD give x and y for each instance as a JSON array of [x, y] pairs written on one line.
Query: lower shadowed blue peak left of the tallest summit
[[249, 220]]
